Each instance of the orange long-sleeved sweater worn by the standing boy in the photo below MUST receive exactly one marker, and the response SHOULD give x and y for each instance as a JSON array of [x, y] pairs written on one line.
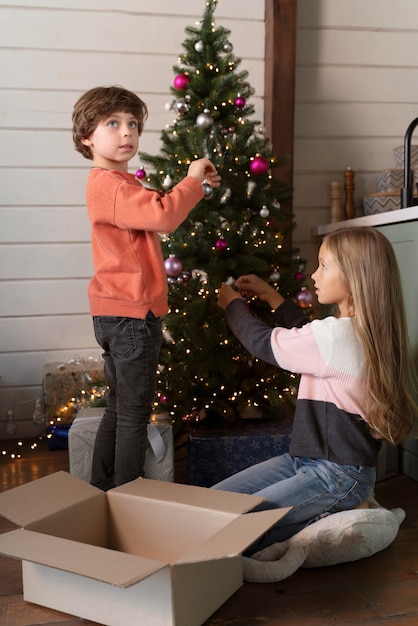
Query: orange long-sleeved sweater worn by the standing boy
[[129, 274]]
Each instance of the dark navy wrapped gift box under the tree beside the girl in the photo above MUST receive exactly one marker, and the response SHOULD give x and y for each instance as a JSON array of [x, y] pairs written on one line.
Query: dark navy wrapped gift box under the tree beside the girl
[[214, 453]]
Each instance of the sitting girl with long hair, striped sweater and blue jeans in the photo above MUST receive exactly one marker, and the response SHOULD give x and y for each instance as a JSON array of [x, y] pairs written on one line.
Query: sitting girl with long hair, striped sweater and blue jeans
[[355, 386]]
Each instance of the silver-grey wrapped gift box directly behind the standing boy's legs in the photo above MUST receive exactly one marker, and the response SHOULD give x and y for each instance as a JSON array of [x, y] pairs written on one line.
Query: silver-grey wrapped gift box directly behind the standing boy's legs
[[159, 459]]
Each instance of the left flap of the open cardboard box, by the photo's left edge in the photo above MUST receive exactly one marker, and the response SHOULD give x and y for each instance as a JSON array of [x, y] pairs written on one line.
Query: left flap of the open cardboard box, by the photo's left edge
[[39, 499]]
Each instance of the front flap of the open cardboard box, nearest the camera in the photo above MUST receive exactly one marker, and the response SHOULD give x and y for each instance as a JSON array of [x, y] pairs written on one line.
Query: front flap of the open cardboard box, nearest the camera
[[109, 566]]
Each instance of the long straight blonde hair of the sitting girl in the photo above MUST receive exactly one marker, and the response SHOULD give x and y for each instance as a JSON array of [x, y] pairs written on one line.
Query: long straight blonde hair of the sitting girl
[[369, 270]]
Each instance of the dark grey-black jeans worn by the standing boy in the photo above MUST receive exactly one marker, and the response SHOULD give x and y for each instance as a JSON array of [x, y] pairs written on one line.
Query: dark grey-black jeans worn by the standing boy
[[131, 353]]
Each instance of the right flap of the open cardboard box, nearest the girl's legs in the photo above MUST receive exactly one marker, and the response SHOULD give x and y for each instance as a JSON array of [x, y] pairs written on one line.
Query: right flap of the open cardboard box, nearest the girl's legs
[[236, 536]]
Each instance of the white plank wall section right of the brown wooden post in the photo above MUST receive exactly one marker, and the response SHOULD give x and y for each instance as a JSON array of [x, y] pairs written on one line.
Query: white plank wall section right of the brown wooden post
[[356, 93]]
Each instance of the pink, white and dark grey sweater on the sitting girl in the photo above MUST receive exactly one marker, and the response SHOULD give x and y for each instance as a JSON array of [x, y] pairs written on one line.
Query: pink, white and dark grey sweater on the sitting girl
[[329, 418]]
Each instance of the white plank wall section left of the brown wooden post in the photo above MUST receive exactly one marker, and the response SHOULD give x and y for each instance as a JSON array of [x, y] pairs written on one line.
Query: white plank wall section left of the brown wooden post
[[51, 51]]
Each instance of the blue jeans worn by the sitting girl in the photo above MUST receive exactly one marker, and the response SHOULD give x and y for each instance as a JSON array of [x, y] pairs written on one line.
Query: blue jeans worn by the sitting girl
[[313, 487]]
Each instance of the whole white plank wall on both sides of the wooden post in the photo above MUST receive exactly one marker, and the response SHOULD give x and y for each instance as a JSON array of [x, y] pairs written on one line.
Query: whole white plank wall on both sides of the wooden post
[[356, 92]]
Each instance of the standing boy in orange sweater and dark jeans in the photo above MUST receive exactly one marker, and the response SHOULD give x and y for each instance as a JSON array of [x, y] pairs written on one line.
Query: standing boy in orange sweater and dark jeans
[[128, 292]]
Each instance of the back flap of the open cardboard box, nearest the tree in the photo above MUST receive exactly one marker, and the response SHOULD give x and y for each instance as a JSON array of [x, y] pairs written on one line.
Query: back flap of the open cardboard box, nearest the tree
[[188, 496]]
